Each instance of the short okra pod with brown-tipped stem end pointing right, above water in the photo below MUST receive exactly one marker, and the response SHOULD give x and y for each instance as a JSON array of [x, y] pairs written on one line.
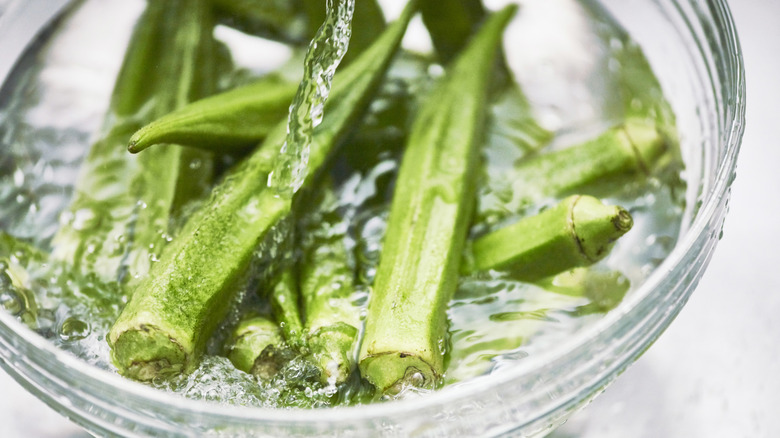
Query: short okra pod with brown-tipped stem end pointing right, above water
[[578, 231]]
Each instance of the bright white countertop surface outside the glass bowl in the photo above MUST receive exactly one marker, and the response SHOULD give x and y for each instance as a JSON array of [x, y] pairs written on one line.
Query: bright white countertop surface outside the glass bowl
[[713, 373]]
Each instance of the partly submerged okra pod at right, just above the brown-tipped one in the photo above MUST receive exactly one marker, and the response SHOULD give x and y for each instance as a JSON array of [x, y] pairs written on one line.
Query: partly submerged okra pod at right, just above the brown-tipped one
[[627, 151]]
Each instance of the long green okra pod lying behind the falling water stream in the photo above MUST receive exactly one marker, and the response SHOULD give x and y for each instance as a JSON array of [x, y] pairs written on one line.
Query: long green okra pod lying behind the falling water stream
[[165, 325]]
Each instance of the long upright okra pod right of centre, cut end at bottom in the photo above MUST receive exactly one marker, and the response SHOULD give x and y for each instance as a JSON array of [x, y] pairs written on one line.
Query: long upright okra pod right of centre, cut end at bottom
[[427, 226]]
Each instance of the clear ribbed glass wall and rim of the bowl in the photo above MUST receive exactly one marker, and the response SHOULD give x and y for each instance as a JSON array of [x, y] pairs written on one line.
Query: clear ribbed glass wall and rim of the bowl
[[693, 47]]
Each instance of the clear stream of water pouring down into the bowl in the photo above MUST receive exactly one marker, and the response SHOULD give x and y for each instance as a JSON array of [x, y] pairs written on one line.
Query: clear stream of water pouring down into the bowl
[[306, 111]]
